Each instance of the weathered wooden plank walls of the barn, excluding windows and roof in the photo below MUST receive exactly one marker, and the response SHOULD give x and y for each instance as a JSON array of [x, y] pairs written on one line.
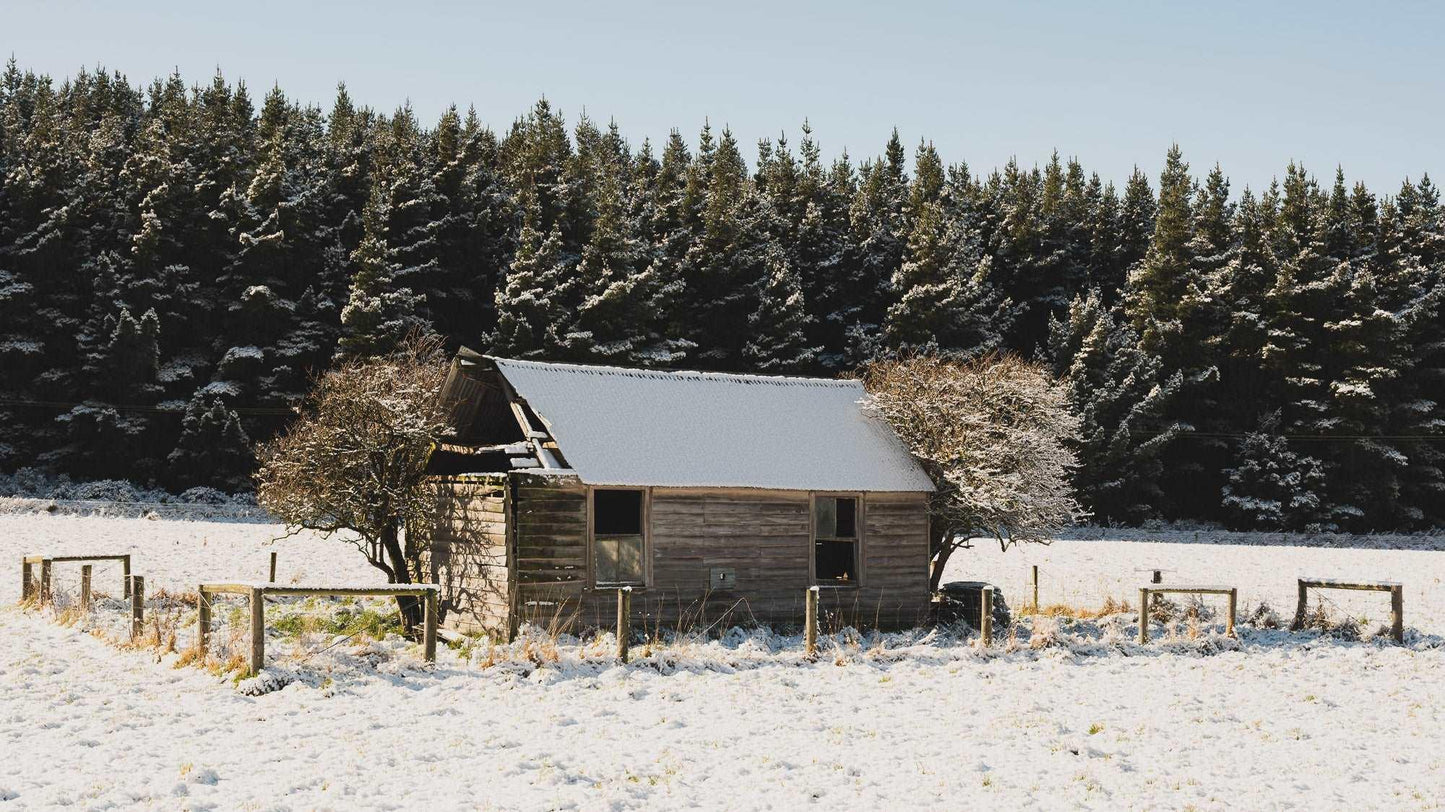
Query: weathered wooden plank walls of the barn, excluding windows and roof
[[762, 535]]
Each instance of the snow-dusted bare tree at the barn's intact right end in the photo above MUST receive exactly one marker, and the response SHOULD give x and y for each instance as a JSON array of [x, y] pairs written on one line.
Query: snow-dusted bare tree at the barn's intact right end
[[995, 436]]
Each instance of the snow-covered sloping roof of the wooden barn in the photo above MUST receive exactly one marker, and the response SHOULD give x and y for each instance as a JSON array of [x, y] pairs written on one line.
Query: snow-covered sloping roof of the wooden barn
[[619, 427]]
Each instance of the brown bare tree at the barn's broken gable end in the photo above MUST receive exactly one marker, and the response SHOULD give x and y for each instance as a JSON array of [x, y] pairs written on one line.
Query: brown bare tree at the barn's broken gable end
[[353, 463]]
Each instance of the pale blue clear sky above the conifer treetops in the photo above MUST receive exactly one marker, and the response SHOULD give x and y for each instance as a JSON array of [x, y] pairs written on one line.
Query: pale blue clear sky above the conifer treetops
[[1251, 86]]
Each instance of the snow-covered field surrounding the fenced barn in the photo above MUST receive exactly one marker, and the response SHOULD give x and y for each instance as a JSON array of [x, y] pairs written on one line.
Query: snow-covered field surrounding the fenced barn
[[1070, 716]]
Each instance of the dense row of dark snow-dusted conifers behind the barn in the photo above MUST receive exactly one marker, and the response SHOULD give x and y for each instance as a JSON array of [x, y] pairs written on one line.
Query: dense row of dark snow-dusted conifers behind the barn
[[176, 265]]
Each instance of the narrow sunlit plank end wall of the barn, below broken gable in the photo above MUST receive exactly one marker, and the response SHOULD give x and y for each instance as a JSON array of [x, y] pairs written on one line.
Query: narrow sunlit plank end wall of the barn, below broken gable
[[467, 554]]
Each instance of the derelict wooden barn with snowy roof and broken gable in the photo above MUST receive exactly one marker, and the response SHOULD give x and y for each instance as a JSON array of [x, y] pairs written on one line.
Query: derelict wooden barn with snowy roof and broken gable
[[709, 495]]
